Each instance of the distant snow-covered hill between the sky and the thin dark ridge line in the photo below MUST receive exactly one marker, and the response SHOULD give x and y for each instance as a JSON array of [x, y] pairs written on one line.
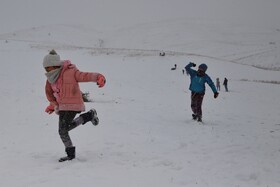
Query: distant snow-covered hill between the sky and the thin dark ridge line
[[240, 44]]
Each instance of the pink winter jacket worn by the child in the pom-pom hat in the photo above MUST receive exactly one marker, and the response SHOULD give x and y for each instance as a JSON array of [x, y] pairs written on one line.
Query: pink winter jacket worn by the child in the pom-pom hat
[[65, 93]]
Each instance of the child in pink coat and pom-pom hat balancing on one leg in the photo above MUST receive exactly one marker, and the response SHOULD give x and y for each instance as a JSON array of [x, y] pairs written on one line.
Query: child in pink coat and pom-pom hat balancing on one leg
[[64, 94]]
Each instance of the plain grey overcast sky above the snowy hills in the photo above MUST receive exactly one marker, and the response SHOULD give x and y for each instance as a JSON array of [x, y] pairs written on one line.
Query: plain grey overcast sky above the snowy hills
[[20, 14]]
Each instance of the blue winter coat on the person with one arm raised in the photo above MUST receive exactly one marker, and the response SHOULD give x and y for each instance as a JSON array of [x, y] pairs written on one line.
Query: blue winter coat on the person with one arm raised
[[198, 82]]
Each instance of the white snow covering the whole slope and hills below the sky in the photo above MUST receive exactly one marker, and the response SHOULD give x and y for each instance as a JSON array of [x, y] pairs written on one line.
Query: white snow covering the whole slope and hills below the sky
[[146, 136]]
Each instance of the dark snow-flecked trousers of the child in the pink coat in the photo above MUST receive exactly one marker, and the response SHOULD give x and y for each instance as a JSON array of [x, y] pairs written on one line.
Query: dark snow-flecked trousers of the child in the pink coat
[[67, 123]]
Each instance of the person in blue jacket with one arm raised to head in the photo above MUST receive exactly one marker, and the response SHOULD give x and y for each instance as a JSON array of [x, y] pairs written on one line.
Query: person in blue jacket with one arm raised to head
[[197, 88]]
